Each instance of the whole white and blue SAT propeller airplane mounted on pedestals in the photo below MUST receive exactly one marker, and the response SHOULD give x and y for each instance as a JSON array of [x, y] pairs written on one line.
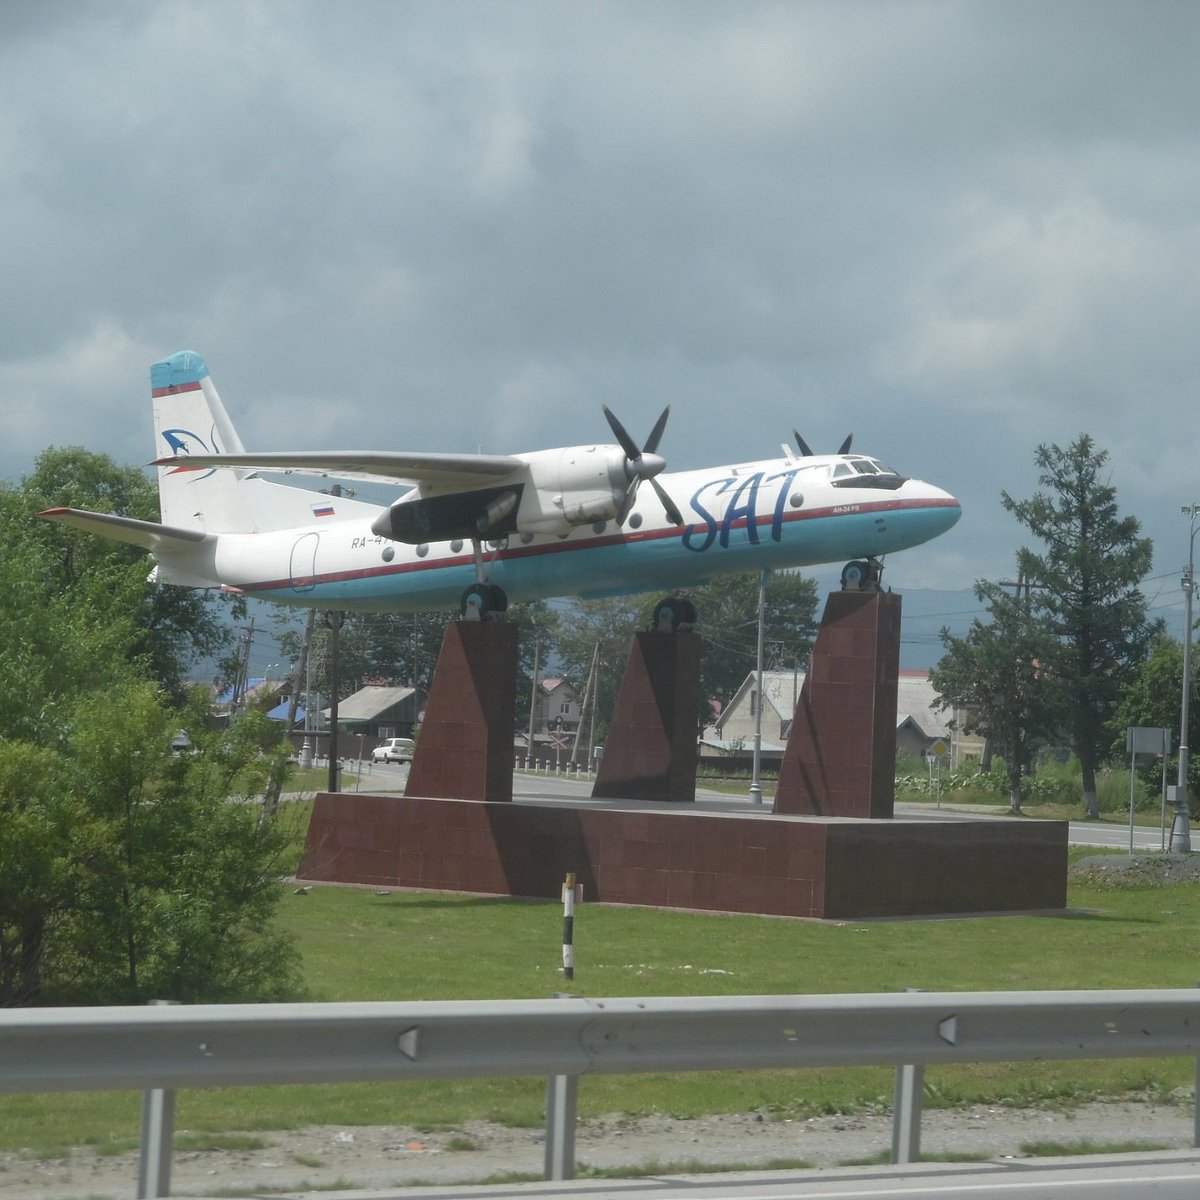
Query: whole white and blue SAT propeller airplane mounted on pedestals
[[477, 530]]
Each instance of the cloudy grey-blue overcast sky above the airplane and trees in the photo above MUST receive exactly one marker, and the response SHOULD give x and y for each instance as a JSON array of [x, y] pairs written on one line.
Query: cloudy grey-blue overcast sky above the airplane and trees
[[956, 229]]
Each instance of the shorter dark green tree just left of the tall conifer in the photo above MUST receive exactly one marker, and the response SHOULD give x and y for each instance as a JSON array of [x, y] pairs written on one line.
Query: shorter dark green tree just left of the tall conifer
[[998, 676]]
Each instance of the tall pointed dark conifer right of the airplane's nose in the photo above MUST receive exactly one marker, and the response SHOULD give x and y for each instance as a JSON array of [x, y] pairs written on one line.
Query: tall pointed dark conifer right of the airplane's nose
[[1085, 587]]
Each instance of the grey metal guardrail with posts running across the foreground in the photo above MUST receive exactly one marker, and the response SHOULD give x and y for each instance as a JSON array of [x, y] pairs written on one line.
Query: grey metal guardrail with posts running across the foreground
[[161, 1049]]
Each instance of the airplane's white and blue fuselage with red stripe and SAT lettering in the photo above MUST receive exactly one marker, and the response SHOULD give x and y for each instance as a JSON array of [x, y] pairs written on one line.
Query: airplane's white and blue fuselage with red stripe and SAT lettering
[[773, 514]]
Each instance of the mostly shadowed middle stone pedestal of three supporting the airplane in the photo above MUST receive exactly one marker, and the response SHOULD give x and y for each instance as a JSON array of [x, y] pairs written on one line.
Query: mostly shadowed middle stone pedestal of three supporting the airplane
[[651, 751]]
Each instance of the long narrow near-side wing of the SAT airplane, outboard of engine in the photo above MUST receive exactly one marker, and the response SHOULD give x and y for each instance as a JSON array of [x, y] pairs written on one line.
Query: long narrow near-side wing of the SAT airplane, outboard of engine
[[374, 466]]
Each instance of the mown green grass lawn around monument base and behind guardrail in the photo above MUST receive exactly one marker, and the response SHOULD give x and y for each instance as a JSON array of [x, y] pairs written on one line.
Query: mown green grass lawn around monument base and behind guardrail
[[362, 945]]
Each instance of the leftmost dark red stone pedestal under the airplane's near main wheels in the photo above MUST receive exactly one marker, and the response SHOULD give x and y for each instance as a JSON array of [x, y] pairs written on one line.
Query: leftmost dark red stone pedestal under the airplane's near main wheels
[[465, 749]]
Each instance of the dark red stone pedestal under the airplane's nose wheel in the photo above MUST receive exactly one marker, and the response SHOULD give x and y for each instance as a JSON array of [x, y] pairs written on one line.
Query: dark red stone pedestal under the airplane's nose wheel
[[842, 753]]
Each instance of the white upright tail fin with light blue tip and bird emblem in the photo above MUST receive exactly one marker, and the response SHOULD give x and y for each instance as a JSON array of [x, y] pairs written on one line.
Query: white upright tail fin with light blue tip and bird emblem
[[189, 418]]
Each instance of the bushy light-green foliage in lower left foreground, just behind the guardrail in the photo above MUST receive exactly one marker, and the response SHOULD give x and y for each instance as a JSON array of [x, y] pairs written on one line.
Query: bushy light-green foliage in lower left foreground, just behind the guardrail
[[136, 874]]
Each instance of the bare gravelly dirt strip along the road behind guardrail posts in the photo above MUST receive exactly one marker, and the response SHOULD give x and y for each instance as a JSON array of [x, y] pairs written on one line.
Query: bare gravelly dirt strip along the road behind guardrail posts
[[383, 1157]]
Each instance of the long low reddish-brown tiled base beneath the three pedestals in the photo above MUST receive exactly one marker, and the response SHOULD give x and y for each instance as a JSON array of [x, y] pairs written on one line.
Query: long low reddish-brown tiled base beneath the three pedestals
[[784, 866]]
